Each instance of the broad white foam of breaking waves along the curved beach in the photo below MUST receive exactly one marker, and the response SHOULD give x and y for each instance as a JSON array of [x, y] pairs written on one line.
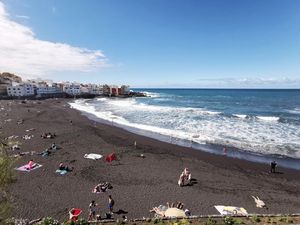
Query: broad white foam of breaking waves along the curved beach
[[263, 135]]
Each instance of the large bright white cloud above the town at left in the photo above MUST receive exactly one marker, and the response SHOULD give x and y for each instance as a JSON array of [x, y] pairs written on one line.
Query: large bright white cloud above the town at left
[[21, 52]]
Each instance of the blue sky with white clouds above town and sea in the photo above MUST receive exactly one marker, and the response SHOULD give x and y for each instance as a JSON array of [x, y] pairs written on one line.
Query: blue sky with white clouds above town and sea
[[154, 43]]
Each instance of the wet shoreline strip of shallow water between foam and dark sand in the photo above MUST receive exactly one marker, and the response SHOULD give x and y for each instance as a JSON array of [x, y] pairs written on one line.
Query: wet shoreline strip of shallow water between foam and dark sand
[[233, 152]]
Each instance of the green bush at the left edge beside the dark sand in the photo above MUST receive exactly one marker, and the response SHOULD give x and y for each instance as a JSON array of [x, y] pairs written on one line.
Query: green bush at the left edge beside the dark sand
[[6, 177]]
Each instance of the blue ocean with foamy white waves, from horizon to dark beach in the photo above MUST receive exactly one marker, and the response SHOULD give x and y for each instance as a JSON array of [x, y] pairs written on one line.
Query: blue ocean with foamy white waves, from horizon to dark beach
[[257, 125]]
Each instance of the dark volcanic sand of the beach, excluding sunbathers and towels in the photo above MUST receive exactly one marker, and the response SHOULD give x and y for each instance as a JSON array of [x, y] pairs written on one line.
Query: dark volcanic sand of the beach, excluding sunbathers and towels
[[138, 183]]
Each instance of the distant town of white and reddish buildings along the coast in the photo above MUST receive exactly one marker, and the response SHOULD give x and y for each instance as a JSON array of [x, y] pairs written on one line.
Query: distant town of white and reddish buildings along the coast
[[13, 86]]
